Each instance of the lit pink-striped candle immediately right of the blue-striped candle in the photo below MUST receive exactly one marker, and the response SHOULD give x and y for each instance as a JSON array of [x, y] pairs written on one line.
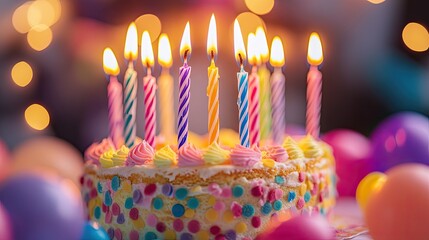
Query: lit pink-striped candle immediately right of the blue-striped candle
[[254, 59]]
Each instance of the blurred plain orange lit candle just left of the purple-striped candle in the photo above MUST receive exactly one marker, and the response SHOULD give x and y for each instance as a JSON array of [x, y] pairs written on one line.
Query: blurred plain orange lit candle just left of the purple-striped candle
[[165, 84]]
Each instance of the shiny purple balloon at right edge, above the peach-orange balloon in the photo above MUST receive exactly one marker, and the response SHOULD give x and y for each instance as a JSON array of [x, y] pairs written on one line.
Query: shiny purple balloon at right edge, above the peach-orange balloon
[[401, 138]]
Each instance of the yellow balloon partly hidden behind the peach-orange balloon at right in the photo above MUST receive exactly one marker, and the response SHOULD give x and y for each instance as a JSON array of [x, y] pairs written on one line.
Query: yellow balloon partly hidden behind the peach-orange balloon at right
[[369, 185]]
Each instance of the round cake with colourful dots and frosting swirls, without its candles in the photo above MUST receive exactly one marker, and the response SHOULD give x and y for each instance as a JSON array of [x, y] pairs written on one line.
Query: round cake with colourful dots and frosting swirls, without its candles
[[205, 192]]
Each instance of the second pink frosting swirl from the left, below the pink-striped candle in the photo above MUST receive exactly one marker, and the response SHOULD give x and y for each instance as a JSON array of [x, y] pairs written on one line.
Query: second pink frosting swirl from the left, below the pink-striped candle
[[140, 154]]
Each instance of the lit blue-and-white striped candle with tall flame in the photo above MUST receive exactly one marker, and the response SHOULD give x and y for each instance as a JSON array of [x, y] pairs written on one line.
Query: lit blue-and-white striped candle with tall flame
[[243, 85]]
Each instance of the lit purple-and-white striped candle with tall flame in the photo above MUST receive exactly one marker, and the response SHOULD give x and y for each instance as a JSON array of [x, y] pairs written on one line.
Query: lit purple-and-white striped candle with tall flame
[[184, 87]]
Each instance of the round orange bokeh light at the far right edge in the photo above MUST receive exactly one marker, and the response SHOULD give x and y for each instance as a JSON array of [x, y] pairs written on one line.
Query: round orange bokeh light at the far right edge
[[416, 37]]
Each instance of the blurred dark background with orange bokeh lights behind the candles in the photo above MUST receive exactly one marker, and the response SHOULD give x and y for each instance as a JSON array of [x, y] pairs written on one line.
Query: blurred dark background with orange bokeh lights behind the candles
[[376, 60]]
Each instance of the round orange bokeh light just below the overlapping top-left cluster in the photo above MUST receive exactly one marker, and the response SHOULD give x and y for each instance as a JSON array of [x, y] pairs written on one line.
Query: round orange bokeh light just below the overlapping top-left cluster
[[39, 37]]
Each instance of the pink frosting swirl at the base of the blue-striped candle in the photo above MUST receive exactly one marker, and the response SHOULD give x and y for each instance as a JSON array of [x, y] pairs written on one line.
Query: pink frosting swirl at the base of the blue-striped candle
[[246, 157]]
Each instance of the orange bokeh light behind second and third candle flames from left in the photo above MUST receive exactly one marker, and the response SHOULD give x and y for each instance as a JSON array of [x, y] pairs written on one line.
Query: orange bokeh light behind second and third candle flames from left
[[150, 23]]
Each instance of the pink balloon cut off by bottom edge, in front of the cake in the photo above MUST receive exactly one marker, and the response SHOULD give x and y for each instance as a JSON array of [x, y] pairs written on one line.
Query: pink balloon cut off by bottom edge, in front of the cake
[[302, 227]]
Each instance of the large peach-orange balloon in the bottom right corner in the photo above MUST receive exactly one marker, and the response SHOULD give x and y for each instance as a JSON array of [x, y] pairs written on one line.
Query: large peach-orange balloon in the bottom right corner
[[400, 210]]
